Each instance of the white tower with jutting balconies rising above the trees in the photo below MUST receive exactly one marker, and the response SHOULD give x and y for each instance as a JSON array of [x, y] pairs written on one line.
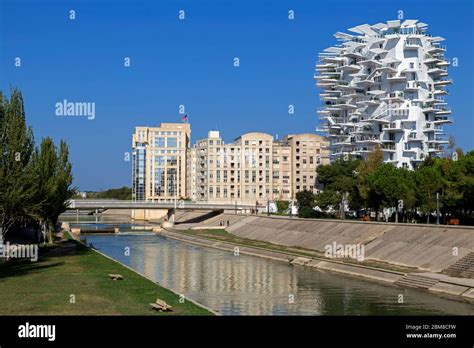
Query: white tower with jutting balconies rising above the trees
[[384, 85]]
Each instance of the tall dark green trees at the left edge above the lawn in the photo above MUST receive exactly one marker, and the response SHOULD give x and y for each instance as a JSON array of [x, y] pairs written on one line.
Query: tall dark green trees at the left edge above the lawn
[[35, 181]]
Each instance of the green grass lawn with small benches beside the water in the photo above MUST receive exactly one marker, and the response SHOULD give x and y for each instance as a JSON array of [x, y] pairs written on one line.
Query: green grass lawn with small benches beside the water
[[69, 268]]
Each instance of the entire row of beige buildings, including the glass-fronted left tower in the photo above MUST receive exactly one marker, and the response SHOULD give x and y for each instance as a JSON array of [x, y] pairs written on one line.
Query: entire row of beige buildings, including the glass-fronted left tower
[[253, 169]]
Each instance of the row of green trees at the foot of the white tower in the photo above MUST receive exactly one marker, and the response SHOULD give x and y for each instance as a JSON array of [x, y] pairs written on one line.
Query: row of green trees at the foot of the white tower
[[443, 185]]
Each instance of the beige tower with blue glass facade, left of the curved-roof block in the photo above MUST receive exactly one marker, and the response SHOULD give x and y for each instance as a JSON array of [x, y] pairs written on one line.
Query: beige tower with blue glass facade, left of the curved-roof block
[[159, 167]]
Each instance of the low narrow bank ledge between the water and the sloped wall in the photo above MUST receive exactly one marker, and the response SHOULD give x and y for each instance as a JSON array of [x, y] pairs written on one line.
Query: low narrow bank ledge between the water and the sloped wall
[[460, 288]]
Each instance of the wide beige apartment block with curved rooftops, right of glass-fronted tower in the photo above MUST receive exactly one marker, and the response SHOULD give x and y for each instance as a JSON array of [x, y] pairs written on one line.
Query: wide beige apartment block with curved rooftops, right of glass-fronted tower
[[256, 168]]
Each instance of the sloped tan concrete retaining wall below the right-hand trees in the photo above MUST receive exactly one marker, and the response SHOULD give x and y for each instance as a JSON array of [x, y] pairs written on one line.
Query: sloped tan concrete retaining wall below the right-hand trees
[[428, 248]]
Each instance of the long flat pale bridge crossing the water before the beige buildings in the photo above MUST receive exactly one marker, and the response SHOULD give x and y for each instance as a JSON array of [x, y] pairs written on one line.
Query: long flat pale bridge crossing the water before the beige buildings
[[96, 205]]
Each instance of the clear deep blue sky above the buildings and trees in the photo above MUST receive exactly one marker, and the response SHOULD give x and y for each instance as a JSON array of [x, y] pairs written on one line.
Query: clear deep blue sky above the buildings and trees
[[190, 62]]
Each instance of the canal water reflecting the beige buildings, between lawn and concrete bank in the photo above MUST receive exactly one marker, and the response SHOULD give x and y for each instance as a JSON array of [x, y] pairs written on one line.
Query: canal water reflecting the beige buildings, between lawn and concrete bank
[[248, 285]]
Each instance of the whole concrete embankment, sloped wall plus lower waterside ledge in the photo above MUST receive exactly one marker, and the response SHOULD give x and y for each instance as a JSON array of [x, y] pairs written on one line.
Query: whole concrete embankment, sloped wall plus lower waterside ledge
[[426, 250]]
